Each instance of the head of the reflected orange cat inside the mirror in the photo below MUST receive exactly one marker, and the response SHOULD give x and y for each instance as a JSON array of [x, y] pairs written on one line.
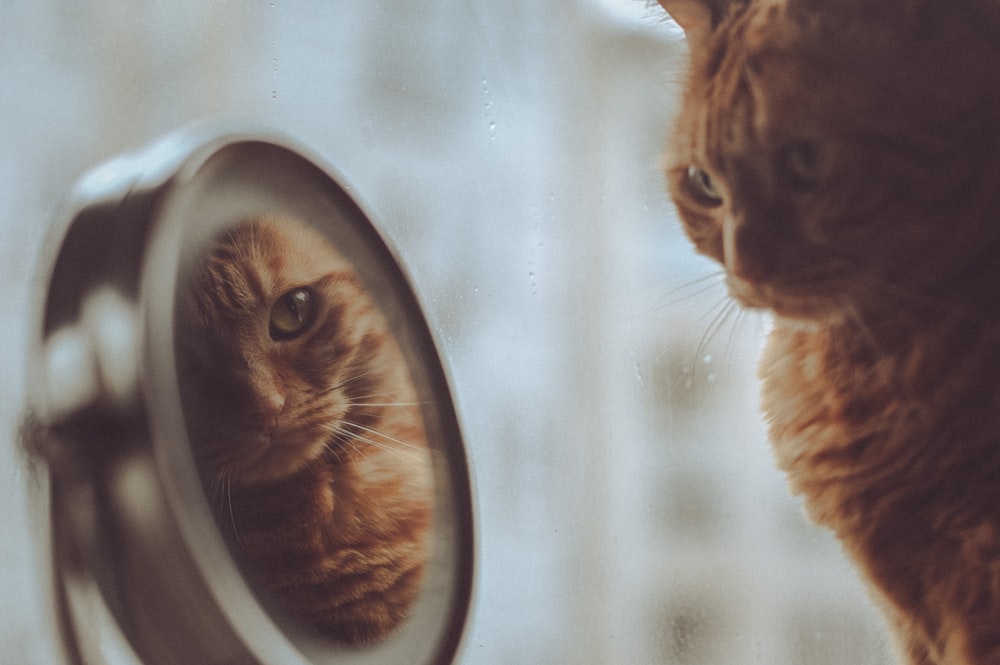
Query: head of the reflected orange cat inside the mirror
[[278, 344]]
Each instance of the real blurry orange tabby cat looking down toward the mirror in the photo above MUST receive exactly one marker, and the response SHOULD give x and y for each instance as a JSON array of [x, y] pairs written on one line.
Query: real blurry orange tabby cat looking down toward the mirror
[[841, 160]]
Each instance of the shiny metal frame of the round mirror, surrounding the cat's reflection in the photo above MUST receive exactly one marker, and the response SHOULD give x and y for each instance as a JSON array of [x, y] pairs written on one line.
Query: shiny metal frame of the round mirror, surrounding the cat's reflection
[[137, 564]]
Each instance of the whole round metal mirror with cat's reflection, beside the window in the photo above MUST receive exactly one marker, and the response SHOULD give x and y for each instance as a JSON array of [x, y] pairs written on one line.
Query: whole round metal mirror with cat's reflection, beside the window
[[249, 443]]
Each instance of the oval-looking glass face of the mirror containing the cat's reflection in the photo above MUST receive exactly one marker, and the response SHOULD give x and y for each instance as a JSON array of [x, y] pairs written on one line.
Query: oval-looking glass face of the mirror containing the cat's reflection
[[317, 411]]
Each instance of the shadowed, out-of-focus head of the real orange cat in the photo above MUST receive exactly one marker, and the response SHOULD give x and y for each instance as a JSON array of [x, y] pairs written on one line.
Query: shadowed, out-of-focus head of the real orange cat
[[836, 154]]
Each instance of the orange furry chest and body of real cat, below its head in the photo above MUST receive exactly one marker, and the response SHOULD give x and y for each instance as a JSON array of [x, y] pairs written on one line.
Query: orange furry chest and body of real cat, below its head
[[898, 451]]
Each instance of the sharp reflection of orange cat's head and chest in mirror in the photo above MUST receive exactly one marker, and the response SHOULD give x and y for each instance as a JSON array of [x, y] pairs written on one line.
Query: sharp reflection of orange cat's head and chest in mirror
[[306, 427]]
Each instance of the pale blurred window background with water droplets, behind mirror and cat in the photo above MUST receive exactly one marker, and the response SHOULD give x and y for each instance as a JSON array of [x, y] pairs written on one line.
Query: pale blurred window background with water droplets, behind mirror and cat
[[629, 509]]
